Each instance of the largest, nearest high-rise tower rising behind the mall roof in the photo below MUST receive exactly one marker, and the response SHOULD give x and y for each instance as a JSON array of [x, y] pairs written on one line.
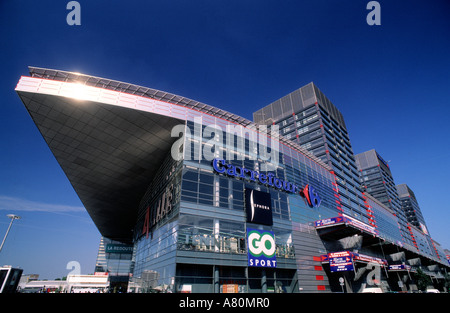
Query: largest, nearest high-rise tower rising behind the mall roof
[[307, 117]]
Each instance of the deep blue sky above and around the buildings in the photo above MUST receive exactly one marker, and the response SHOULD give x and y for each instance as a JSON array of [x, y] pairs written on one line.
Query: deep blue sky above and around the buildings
[[391, 82]]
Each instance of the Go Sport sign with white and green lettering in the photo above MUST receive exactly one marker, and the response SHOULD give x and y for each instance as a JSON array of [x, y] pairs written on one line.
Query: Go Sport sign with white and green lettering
[[261, 248]]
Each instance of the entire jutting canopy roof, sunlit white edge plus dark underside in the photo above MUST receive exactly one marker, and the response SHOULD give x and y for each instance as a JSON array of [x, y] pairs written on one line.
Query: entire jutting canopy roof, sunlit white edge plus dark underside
[[110, 137]]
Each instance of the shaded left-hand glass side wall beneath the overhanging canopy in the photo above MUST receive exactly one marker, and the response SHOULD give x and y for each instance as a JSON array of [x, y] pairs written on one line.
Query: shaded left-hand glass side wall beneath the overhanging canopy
[[156, 232]]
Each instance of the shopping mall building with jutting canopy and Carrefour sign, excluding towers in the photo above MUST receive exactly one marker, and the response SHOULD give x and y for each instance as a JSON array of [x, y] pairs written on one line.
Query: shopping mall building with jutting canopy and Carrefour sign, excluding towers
[[210, 201]]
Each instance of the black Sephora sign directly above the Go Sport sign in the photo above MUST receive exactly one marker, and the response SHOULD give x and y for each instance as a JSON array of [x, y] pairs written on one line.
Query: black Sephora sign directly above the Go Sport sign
[[258, 207]]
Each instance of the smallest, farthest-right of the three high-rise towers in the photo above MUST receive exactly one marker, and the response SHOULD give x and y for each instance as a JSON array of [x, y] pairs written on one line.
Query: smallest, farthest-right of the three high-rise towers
[[411, 207]]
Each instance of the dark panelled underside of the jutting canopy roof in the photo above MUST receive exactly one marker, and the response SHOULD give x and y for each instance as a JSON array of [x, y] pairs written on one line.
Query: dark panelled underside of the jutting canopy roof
[[109, 154]]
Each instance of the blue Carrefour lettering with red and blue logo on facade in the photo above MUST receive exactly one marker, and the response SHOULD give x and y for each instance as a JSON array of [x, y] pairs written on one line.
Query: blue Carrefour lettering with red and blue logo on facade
[[308, 192]]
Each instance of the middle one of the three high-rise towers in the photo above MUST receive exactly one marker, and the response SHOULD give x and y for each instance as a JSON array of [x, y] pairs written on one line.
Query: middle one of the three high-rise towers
[[377, 180]]
